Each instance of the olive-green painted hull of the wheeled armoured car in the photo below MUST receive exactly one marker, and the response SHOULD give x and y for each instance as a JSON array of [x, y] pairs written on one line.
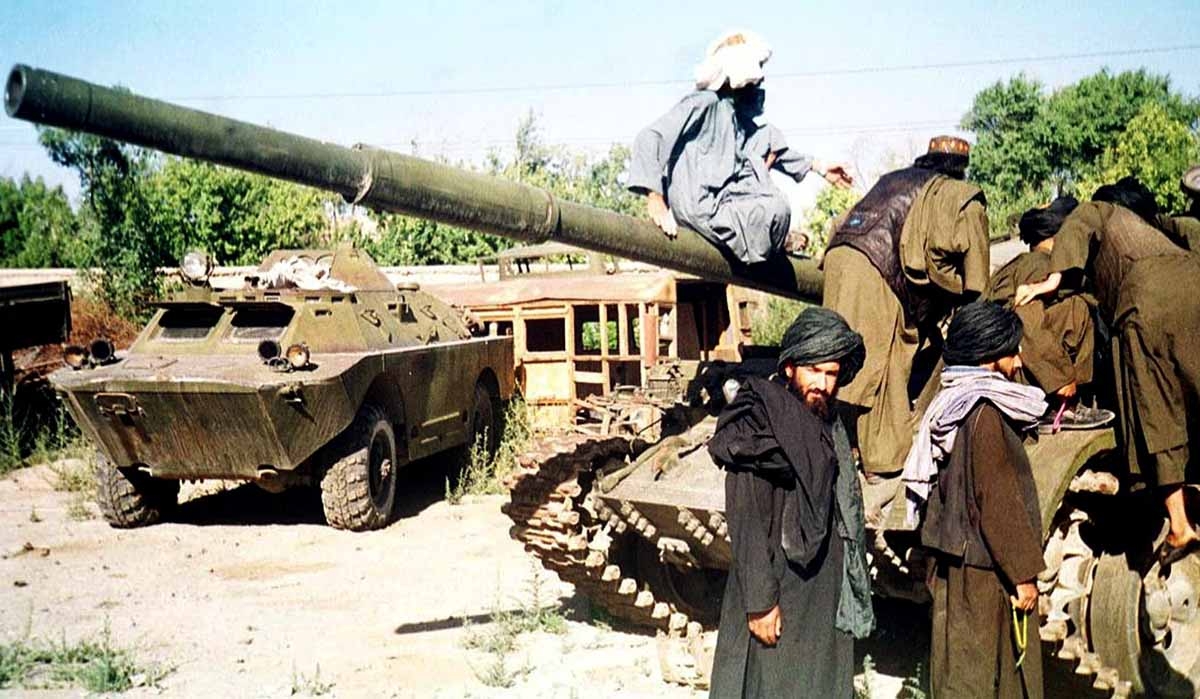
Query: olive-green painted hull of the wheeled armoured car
[[209, 408]]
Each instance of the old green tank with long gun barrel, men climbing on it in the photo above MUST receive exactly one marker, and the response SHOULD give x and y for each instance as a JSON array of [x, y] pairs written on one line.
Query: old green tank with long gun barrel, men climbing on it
[[638, 524]]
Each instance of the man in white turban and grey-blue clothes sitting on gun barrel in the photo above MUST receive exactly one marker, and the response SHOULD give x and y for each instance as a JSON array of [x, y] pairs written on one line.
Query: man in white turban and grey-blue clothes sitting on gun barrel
[[705, 164]]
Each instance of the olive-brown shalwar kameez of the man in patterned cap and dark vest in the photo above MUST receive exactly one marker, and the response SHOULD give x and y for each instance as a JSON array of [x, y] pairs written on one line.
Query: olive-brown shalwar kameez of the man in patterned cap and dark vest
[[945, 244]]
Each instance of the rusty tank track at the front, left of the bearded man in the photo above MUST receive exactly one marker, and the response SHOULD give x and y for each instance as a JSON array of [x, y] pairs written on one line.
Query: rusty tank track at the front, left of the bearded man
[[574, 535]]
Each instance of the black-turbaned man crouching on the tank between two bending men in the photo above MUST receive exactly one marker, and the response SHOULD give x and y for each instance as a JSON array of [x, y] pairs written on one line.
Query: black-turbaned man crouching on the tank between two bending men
[[1059, 342]]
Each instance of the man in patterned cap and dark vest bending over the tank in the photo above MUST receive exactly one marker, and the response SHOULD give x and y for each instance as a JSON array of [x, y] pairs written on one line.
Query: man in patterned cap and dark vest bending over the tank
[[914, 249]]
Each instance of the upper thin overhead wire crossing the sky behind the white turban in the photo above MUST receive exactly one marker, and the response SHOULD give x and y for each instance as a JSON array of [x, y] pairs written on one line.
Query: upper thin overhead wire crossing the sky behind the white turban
[[627, 85]]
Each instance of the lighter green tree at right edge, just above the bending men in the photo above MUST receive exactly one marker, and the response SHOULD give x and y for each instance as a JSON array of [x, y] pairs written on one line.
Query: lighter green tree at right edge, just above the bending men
[[1156, 148]]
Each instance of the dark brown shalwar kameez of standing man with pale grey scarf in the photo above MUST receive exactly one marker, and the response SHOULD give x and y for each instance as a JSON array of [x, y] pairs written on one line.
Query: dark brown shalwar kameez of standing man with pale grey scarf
[[974, 649]]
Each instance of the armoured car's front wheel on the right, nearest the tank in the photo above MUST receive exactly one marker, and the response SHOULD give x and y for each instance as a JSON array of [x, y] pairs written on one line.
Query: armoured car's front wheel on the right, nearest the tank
[[358, 491]]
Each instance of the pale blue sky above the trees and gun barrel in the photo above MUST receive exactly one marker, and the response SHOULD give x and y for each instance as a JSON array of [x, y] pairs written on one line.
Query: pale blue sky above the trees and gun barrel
[[278, 63]]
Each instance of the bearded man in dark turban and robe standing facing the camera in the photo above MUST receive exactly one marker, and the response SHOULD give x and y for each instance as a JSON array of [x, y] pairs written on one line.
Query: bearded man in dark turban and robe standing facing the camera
[[799, 590]]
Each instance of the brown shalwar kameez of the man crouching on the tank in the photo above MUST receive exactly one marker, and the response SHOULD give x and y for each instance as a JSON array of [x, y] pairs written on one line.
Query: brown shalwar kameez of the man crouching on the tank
[[1059, 337]]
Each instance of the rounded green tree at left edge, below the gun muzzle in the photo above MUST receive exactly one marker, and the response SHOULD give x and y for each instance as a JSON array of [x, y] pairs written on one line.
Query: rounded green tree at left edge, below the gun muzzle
[[38, 228]]
